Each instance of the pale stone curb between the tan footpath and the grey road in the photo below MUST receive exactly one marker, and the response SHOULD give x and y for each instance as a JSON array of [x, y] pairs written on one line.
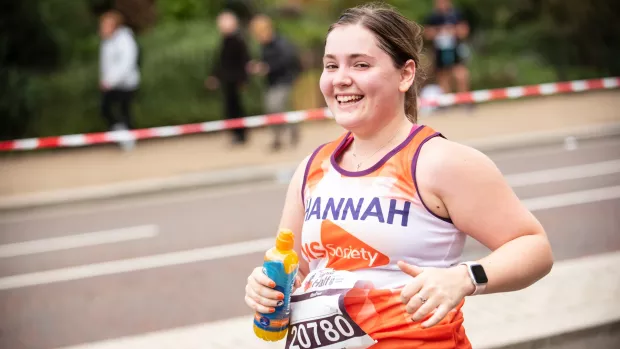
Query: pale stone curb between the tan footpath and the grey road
[[278, 173]]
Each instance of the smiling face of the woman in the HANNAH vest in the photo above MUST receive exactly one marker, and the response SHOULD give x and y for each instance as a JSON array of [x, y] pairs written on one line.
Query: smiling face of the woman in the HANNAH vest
[[360, 83]]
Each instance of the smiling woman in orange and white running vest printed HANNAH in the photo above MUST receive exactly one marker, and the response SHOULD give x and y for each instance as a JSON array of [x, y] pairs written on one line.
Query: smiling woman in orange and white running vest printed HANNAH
[[381, 214]]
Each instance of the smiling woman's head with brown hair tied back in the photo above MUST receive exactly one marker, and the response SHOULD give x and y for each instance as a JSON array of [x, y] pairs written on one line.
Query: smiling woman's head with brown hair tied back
[[366, 53]]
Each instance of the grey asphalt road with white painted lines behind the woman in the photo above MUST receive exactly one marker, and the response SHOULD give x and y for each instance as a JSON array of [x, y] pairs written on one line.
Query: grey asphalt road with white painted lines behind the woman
[[182, 258]]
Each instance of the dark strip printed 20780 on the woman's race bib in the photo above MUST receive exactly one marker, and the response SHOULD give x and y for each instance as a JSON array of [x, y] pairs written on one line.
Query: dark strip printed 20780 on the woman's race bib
[[323, 333]]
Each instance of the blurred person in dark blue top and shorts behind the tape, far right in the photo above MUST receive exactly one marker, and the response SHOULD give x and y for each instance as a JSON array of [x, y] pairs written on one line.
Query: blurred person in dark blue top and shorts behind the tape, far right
[[447, 29]]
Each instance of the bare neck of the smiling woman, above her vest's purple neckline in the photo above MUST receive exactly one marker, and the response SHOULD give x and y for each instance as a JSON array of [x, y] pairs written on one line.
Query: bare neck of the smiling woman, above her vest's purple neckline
[[394, 132]]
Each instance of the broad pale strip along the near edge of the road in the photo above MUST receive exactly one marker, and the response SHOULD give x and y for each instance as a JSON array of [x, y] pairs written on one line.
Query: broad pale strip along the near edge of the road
[[542, 304]]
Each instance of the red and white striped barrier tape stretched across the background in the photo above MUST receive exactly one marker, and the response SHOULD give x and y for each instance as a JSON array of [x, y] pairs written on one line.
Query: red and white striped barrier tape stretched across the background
[[480, 96]]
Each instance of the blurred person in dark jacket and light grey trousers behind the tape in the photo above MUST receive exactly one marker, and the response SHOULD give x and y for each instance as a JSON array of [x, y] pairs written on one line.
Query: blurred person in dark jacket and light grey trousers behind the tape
[[281, 65]]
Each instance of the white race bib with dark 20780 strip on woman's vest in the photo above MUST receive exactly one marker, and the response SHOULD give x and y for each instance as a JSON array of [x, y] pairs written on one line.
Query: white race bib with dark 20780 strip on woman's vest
[[318, 315]]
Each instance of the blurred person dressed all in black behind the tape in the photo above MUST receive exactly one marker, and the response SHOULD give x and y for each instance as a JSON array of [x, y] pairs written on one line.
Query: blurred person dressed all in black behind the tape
[[229, 71]]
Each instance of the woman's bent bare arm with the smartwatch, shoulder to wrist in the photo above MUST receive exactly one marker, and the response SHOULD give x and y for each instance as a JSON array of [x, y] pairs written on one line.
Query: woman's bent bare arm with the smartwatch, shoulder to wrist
[[482, 205]]
